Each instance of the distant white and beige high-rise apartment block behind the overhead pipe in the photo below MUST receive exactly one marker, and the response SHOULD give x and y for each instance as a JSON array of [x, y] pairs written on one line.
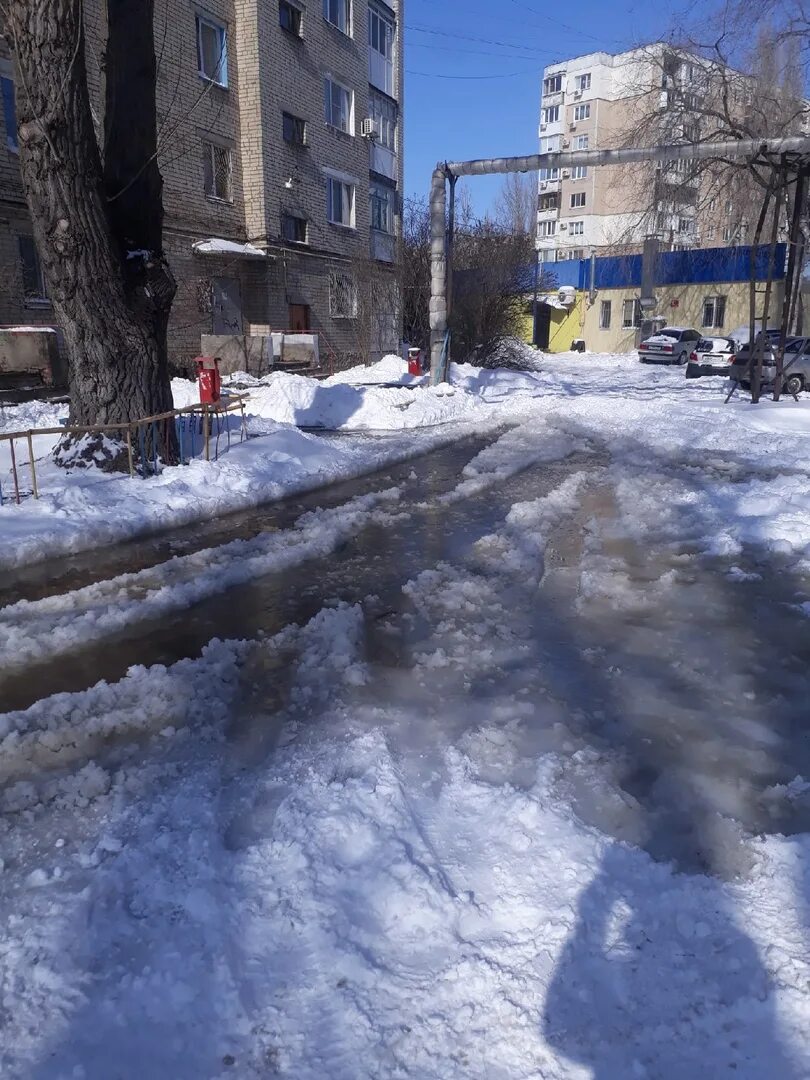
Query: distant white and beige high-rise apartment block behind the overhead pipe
[[604, 101]]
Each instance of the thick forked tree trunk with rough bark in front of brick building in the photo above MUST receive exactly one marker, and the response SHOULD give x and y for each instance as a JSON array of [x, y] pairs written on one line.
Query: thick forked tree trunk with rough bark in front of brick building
[[114, 308]]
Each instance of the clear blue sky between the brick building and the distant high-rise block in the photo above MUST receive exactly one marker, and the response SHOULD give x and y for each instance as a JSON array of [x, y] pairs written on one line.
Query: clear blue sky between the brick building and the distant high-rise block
[[511, 40]]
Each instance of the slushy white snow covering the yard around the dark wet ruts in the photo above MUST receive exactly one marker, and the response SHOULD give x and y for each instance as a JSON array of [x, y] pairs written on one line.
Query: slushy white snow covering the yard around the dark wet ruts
[[313, 856]]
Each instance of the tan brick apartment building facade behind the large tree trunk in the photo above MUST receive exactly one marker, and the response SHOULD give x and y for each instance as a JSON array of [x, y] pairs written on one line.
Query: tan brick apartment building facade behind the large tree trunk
[[281, 150]]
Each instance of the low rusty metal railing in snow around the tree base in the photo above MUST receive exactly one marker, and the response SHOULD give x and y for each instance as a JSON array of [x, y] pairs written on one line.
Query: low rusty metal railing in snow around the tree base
[[143, 439]]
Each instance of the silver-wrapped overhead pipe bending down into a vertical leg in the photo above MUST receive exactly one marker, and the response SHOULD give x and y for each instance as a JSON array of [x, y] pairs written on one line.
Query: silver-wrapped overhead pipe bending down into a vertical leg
[[490, 167]]
